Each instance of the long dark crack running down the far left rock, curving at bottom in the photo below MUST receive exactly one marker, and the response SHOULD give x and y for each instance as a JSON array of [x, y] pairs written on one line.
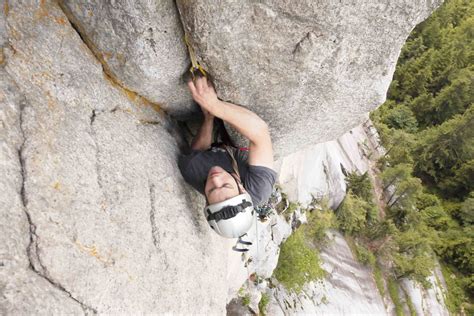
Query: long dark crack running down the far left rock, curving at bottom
[[32, 250]]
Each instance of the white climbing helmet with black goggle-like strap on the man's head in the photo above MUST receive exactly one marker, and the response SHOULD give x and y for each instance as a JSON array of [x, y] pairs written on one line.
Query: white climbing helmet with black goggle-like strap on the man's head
[[231, 218]]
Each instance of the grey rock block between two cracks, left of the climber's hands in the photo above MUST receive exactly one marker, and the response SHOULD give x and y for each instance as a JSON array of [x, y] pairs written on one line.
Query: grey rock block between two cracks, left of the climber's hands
[[140, 44]]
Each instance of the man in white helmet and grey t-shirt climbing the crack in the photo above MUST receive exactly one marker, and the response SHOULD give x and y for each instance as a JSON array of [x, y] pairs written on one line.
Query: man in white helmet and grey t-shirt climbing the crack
[[233, 180]]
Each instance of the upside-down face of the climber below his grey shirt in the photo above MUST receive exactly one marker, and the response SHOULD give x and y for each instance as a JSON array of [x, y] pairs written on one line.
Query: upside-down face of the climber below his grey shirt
[[220, 185]]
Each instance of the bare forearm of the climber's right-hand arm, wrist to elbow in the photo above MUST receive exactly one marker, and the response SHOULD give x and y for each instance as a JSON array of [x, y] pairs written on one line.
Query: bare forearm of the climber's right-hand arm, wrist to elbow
[[244, 121]]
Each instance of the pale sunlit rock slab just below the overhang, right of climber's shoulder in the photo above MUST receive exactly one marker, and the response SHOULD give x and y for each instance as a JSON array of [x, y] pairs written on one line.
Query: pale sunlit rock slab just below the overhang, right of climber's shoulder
[[320, 170]]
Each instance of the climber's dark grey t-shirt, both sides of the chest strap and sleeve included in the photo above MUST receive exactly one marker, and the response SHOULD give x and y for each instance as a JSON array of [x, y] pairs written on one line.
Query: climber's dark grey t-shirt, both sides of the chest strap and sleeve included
[[257, 180]]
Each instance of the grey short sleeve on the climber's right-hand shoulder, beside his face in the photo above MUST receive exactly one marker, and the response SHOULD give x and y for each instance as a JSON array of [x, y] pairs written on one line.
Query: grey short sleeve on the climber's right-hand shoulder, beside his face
[[259, 183]]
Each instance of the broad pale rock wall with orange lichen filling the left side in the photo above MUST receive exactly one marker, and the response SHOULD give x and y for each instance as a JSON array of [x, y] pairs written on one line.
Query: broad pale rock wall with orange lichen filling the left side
[[95, 215]]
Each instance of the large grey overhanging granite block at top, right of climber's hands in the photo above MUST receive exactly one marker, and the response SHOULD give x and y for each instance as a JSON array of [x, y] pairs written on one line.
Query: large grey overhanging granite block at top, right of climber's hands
[[311, 69]]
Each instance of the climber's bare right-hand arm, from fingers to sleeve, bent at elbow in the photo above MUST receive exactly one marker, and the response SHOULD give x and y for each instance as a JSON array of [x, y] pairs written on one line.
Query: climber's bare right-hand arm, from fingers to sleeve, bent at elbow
[[245, 121]]
